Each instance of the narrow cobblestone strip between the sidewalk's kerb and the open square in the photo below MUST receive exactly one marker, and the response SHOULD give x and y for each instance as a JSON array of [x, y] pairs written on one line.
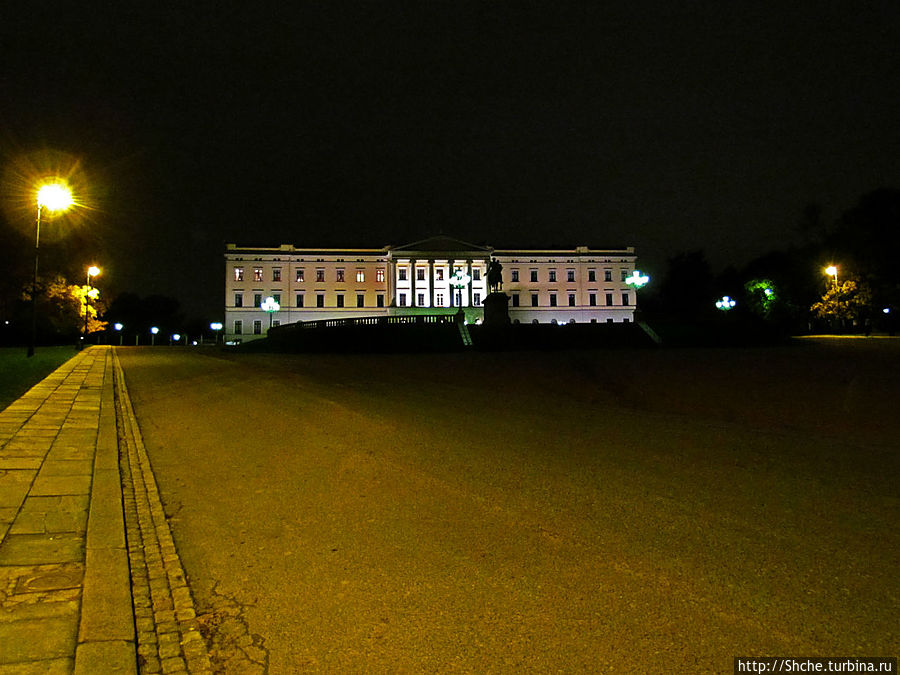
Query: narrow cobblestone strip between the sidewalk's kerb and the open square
[[168, 635]]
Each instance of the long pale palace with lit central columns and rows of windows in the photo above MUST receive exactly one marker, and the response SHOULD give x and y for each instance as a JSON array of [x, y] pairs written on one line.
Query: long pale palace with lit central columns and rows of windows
[[435, 276]]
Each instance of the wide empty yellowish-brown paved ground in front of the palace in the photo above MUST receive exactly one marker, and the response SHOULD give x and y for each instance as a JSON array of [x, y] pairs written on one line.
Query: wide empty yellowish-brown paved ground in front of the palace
[[619, 511]]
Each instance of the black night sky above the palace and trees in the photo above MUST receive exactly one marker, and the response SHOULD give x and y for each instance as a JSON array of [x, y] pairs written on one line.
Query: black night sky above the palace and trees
[[667, 125]]
